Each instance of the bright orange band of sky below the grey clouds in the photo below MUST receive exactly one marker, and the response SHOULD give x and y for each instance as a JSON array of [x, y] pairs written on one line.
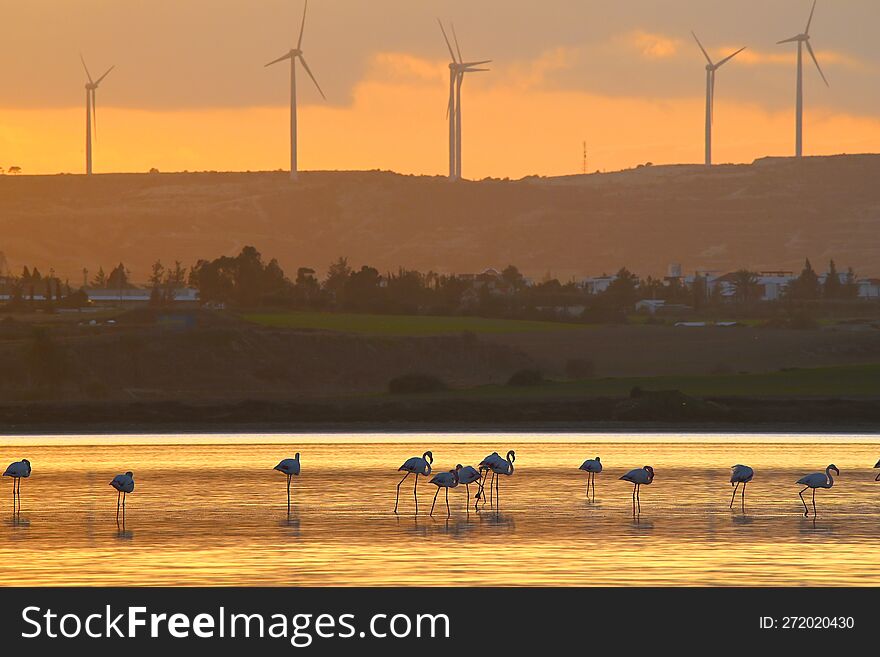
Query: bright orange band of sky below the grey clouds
[[396, 121]]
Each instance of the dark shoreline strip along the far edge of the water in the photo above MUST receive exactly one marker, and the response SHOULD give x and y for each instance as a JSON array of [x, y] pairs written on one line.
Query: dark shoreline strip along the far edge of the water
[[427, 415]]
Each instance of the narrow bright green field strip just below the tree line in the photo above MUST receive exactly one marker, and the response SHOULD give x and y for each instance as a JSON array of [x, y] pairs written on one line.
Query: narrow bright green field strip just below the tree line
[[401, 325]]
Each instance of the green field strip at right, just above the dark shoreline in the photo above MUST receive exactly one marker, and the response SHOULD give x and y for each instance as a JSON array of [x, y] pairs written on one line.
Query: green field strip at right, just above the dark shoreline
[[847, 381]]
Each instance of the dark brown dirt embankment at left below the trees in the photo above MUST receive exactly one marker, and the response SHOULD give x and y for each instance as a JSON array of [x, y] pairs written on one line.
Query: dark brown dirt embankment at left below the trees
[[197, 356]]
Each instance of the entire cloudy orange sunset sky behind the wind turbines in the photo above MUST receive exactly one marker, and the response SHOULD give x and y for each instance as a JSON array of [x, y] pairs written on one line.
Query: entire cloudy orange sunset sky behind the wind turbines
[[633, 93]]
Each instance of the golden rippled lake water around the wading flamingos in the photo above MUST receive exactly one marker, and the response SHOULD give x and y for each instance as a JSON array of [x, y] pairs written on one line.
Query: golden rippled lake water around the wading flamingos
[[227, 524]]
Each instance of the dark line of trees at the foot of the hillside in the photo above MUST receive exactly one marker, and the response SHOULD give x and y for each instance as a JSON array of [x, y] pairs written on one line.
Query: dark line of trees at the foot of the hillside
[[248, 281]]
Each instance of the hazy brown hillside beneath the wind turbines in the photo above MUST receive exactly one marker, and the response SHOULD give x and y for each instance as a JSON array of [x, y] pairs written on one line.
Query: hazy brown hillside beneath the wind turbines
[[767, 215]]
